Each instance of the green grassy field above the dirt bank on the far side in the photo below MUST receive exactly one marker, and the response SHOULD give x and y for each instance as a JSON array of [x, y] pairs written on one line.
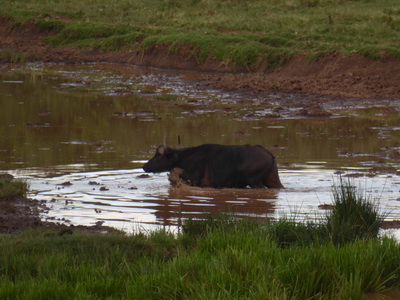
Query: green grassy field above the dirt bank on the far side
[[257, 34]]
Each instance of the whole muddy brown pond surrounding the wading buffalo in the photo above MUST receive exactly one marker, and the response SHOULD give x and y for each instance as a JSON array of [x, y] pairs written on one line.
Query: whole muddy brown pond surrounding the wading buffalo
[[80, 135]]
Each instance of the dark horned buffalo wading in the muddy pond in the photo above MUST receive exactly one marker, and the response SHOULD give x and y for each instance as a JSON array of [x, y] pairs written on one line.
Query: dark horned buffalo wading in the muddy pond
[[219, 166]]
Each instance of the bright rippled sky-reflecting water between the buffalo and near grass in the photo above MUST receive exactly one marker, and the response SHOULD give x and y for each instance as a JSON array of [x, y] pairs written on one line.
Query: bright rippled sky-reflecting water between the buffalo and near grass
[[127, 200]]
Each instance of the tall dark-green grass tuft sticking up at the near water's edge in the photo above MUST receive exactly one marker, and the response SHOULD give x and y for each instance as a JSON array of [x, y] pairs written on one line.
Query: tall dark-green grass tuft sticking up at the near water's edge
[[353, 215]]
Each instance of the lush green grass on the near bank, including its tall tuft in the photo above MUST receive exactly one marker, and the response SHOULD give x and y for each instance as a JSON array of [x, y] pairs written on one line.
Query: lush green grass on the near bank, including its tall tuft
[[216, 258]]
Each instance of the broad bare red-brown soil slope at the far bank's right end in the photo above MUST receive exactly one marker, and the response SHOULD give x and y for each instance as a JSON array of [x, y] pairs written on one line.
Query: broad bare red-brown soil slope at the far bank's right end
[[332, 75]]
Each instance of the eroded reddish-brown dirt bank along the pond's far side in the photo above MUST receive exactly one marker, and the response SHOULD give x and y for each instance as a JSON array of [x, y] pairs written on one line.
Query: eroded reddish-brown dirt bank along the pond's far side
[[333, 75]]
